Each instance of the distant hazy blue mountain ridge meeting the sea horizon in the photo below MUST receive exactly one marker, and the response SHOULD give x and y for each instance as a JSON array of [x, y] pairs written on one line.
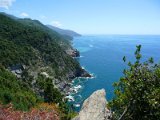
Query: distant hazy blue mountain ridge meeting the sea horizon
[[63, 31]]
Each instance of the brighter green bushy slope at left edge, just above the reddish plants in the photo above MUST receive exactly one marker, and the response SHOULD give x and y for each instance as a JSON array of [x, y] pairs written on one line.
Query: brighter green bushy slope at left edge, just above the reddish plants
[[15, 91]]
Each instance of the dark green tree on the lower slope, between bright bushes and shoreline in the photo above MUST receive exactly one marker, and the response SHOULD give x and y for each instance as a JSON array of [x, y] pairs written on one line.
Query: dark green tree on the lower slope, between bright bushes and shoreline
[[53, 95]]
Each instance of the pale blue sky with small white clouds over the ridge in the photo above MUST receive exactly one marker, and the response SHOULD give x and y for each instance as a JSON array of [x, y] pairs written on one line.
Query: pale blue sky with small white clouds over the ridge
[[91, 16]]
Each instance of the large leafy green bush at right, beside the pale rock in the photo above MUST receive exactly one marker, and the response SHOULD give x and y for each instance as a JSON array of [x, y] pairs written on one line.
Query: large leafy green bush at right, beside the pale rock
[[137, 93]]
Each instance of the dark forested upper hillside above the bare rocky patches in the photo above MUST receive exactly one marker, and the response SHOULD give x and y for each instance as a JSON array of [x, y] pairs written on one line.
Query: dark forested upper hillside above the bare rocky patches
[[24, 41]]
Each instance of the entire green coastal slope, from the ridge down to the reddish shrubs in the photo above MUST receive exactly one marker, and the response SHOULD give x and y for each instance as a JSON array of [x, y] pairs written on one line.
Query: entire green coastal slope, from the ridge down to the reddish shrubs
[[33, 62]]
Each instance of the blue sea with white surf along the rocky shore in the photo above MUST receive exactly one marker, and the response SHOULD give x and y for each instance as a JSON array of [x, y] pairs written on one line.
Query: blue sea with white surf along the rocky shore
[[102, 55]]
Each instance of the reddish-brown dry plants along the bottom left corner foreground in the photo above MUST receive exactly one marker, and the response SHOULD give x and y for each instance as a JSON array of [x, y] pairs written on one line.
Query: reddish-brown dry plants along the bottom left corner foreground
[[43, 111]]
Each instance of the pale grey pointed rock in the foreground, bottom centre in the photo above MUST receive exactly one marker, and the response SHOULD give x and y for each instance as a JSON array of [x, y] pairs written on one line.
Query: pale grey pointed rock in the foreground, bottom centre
[[94, 107]]
